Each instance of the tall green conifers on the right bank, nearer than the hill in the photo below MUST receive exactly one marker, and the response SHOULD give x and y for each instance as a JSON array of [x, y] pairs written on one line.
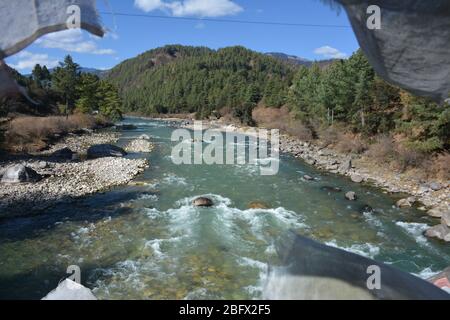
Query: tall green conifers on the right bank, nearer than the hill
[[364, 103]]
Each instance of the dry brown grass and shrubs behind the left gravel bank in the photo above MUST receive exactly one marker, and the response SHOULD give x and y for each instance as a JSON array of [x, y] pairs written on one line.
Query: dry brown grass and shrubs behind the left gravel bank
[[29, 134]]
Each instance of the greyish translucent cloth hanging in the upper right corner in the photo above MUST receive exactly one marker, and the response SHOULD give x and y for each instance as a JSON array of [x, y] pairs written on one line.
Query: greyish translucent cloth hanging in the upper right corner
[[412, 48]]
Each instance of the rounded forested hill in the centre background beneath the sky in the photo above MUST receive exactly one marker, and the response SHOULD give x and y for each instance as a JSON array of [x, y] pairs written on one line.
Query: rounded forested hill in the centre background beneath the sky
[[197, 79]]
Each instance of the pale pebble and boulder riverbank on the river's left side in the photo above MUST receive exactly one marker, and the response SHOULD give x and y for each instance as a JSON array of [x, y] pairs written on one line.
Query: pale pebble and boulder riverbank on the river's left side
[[63, 178]]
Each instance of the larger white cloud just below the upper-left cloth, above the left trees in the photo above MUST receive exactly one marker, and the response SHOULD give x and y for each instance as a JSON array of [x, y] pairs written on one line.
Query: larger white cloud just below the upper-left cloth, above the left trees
[[72, 40]]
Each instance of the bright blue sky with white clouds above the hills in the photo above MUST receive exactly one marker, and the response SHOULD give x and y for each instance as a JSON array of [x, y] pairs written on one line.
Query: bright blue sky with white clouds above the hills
[[129, 36]]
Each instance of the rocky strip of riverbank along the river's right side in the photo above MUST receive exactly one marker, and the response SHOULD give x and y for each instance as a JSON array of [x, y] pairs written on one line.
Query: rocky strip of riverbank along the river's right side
[[429, 196]]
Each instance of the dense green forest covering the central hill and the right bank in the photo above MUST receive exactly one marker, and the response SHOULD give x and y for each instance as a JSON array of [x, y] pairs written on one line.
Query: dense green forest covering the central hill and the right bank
[[344, 93]]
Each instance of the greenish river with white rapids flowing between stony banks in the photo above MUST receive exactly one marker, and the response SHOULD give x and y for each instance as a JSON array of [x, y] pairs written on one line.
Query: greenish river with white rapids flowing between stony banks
[[147, 241]]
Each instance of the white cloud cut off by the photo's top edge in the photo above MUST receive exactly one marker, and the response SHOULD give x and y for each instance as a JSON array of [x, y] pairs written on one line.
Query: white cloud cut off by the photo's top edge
[[202, 8]]
